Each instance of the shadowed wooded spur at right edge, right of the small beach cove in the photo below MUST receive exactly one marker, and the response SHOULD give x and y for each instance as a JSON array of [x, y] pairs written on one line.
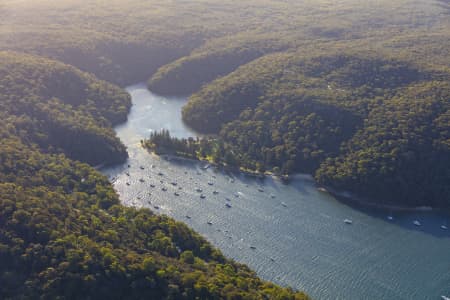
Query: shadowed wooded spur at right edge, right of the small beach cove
[[401, 152]]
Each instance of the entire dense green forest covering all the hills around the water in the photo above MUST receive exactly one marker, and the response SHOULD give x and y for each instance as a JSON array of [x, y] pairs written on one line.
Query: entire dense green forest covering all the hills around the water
[[355, 93]]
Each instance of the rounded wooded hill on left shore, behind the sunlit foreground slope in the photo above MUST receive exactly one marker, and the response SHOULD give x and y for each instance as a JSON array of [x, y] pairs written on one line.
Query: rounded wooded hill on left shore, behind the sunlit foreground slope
[[61, 109]]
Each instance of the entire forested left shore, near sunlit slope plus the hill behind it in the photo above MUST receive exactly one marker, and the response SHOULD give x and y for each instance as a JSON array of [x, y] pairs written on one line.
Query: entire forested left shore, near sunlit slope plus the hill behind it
[[63, 232]]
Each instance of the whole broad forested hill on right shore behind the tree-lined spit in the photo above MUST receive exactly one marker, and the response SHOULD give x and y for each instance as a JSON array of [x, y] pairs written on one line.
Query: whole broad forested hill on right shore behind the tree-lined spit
[[368, 124]]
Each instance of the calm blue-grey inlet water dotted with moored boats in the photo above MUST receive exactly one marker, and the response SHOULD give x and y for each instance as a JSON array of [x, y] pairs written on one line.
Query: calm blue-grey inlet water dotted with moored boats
[[298, 231]]
